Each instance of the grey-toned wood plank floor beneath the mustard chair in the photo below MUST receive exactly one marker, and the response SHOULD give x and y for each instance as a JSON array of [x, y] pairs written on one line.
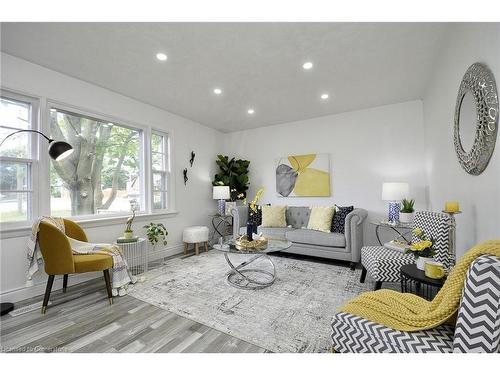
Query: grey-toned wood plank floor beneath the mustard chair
[[81, 320]]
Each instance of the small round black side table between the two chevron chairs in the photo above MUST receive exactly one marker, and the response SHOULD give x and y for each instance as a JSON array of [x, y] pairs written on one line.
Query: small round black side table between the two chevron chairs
[[414, 281]]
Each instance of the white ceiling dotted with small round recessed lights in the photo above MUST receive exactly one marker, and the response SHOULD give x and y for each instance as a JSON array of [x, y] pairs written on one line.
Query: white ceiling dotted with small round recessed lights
[[257, 65]]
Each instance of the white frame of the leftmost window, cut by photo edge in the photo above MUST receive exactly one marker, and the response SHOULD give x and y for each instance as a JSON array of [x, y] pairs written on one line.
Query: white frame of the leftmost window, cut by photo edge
[[32, 162]]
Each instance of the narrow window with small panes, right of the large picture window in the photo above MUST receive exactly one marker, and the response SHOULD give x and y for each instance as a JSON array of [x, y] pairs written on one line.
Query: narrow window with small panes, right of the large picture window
[[159, 170]]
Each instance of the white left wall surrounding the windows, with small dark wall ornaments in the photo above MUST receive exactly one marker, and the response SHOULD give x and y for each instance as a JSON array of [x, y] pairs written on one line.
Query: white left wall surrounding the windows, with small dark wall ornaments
[[194, 201]]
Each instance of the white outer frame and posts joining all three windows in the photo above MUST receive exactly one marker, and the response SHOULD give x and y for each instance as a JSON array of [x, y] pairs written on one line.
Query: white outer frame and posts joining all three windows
[[40, 173]]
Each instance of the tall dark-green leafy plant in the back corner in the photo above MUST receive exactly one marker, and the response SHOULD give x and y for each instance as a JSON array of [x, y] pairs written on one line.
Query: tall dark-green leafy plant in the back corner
[[233, 173]]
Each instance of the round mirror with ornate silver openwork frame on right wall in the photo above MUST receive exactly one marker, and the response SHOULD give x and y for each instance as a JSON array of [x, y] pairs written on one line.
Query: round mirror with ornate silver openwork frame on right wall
[[476, 119]]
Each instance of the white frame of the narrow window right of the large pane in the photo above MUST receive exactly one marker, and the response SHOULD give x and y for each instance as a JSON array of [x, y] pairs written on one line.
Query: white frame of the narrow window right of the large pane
[[166, 172]]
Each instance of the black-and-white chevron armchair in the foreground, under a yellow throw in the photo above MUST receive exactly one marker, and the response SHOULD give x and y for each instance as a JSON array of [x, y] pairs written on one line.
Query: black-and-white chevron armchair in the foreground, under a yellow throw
[[477, 329]]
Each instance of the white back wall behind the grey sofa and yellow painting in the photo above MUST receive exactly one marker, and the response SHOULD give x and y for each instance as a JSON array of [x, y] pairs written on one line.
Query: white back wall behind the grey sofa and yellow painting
[[366, 148]]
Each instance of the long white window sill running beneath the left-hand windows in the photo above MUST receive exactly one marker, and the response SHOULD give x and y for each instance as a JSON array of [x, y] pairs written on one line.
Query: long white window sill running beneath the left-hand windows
[[24, 230]]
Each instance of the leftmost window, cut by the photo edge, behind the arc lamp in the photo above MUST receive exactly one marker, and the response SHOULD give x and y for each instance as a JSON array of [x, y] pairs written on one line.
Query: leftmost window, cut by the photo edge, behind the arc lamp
[[17, 156]]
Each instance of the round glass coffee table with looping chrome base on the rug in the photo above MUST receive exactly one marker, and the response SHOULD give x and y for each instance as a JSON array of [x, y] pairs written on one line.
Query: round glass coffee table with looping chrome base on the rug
[[241, 276]]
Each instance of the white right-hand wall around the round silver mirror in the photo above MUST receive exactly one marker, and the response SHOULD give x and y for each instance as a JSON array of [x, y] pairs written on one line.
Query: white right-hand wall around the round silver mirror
[[479, 196]]
